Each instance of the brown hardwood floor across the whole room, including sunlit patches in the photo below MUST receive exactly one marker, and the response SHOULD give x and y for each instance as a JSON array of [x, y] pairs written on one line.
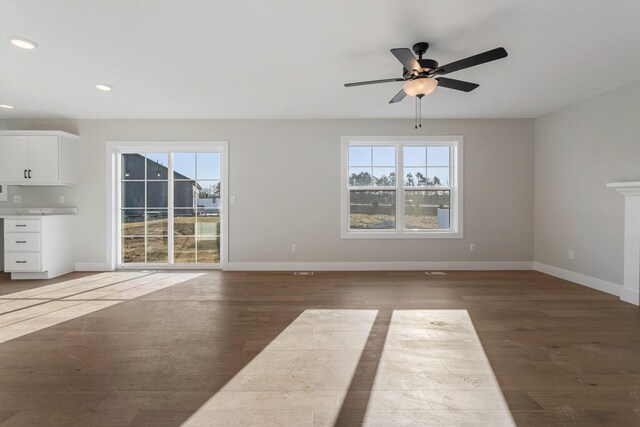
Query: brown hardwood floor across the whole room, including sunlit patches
[[379, 348]]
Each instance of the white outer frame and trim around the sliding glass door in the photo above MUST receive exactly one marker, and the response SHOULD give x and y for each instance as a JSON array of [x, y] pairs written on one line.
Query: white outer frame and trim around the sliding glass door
[[114, 151]]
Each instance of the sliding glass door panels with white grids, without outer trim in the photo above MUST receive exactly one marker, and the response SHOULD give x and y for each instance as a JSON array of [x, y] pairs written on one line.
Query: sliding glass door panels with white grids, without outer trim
[[170, 208]]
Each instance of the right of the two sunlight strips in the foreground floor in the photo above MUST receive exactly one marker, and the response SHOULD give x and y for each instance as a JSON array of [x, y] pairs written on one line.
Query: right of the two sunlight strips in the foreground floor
[[433, 370]]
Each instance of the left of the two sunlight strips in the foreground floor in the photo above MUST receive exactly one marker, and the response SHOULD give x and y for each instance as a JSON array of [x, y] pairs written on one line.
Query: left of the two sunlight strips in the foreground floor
[[308, 367]]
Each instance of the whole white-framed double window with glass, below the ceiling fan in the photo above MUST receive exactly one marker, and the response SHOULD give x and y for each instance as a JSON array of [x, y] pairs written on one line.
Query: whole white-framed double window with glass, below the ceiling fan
[[402, 187]]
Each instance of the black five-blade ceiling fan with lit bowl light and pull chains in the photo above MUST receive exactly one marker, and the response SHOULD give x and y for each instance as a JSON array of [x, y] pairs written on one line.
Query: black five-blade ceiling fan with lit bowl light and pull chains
[[422, 76]]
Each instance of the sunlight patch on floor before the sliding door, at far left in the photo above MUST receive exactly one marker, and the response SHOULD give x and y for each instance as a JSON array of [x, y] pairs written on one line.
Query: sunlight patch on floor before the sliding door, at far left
[[24, 312]]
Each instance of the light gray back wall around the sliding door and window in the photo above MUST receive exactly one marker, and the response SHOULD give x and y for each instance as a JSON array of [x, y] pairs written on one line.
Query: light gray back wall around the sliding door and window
[[286, 177]]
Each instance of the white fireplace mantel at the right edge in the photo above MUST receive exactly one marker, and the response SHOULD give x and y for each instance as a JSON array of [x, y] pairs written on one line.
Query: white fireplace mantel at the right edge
[[631, 287]]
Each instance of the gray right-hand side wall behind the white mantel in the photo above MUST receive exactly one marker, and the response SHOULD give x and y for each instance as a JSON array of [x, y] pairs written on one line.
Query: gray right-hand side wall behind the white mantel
[[578, 150]]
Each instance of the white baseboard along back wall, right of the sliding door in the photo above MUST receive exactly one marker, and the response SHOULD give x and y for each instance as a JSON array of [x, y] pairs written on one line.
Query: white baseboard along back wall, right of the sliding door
[[378, 266]]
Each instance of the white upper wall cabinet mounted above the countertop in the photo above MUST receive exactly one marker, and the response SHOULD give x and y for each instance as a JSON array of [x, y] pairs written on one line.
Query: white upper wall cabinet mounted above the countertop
[[37, 158]]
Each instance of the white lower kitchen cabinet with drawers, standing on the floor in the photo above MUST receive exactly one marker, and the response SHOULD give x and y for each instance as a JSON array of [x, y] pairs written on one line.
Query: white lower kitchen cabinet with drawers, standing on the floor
[[39, 247]]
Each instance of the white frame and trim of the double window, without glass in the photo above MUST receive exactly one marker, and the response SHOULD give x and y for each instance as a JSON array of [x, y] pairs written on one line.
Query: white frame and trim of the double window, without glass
[[455, 142]]
